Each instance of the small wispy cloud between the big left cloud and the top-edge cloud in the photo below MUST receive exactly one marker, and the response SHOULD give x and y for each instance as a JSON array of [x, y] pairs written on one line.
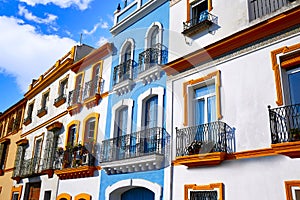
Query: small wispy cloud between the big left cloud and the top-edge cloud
[[29, 16]]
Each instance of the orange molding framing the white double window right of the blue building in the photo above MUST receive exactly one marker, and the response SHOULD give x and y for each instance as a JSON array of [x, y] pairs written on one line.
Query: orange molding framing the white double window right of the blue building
[[216, 76]]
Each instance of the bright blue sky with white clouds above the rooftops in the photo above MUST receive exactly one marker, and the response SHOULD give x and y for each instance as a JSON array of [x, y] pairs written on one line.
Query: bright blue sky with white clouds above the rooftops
[[34, 34]]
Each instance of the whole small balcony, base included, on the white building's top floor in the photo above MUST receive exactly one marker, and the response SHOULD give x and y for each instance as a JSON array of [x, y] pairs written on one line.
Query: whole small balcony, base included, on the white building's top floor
[[198, 24]]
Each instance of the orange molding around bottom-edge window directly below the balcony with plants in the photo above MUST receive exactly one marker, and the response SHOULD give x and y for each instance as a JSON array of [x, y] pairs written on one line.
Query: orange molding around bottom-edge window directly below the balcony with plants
[[213, 186]]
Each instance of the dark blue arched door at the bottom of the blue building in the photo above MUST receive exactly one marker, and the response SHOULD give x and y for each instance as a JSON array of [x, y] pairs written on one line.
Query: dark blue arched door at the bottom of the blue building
[[138, 193]]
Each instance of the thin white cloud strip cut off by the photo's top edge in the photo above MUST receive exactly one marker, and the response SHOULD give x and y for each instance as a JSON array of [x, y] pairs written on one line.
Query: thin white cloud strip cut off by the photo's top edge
[[81, 4]]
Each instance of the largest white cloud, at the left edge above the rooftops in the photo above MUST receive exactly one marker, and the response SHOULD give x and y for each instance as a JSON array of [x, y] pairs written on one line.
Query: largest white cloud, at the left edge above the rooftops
[[27, 54]]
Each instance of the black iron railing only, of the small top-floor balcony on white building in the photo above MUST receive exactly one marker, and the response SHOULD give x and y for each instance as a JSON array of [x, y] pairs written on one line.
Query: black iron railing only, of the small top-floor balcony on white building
[[205, 18]]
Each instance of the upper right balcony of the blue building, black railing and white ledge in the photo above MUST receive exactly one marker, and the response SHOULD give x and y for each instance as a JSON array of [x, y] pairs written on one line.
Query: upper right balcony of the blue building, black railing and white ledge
[[150, 62]]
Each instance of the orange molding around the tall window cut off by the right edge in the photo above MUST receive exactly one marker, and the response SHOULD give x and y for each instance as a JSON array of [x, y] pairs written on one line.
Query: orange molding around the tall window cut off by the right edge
[[286, 64]]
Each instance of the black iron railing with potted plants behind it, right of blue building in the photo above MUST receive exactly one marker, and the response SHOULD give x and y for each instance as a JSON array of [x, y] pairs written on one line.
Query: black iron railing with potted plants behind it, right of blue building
[[205, 138]]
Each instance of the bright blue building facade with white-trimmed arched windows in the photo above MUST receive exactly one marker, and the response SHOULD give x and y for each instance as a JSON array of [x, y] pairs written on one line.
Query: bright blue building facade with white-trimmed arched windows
[[135, 151]]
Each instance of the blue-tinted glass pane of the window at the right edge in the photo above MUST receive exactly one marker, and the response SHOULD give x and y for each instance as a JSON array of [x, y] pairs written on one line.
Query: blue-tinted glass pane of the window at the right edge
[[294, 83]]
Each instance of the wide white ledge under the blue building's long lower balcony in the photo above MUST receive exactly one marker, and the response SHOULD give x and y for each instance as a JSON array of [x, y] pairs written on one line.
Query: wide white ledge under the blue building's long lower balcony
[[142, 163]]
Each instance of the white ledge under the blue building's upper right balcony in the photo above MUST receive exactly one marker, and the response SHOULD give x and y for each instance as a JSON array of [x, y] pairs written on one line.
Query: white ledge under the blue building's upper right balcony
[[151, 74]]
